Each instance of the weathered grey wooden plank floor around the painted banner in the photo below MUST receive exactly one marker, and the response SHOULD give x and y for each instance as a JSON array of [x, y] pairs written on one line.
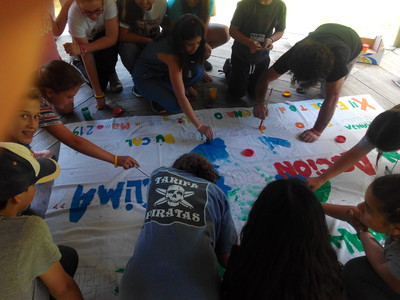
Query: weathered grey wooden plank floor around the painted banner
[[364, 79]]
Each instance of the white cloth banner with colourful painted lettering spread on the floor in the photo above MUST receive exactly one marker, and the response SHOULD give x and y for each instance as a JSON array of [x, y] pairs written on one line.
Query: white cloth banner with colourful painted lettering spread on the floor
[[99, 209]]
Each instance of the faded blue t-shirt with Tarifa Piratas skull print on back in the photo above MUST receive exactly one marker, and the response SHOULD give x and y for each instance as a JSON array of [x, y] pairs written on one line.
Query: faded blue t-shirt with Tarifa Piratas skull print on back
[[187, 224]]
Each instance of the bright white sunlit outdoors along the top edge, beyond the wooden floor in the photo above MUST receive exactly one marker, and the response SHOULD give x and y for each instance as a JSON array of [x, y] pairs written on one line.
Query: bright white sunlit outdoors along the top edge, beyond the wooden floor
[[369, 18]]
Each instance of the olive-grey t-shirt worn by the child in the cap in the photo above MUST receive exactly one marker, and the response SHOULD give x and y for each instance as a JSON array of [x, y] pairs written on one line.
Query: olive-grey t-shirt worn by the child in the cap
[[26, 252]]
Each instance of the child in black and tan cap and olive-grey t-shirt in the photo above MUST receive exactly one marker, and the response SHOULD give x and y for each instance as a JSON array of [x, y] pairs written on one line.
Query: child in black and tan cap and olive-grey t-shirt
[[27, 251]]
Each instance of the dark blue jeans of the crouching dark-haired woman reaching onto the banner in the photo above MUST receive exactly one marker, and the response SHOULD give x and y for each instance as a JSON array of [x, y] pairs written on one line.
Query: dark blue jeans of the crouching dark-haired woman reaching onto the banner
[[159, 89]]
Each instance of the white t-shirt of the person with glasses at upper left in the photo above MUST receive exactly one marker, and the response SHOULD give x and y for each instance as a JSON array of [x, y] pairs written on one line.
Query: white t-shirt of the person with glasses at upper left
[[82, 27]]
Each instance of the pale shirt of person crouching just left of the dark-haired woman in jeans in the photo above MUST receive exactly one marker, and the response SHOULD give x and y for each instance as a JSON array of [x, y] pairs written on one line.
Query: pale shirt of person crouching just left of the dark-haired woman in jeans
[[152, 19]]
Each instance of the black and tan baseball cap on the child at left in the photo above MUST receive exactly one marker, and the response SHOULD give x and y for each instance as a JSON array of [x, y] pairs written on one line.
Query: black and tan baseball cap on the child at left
[[19, 170]]
